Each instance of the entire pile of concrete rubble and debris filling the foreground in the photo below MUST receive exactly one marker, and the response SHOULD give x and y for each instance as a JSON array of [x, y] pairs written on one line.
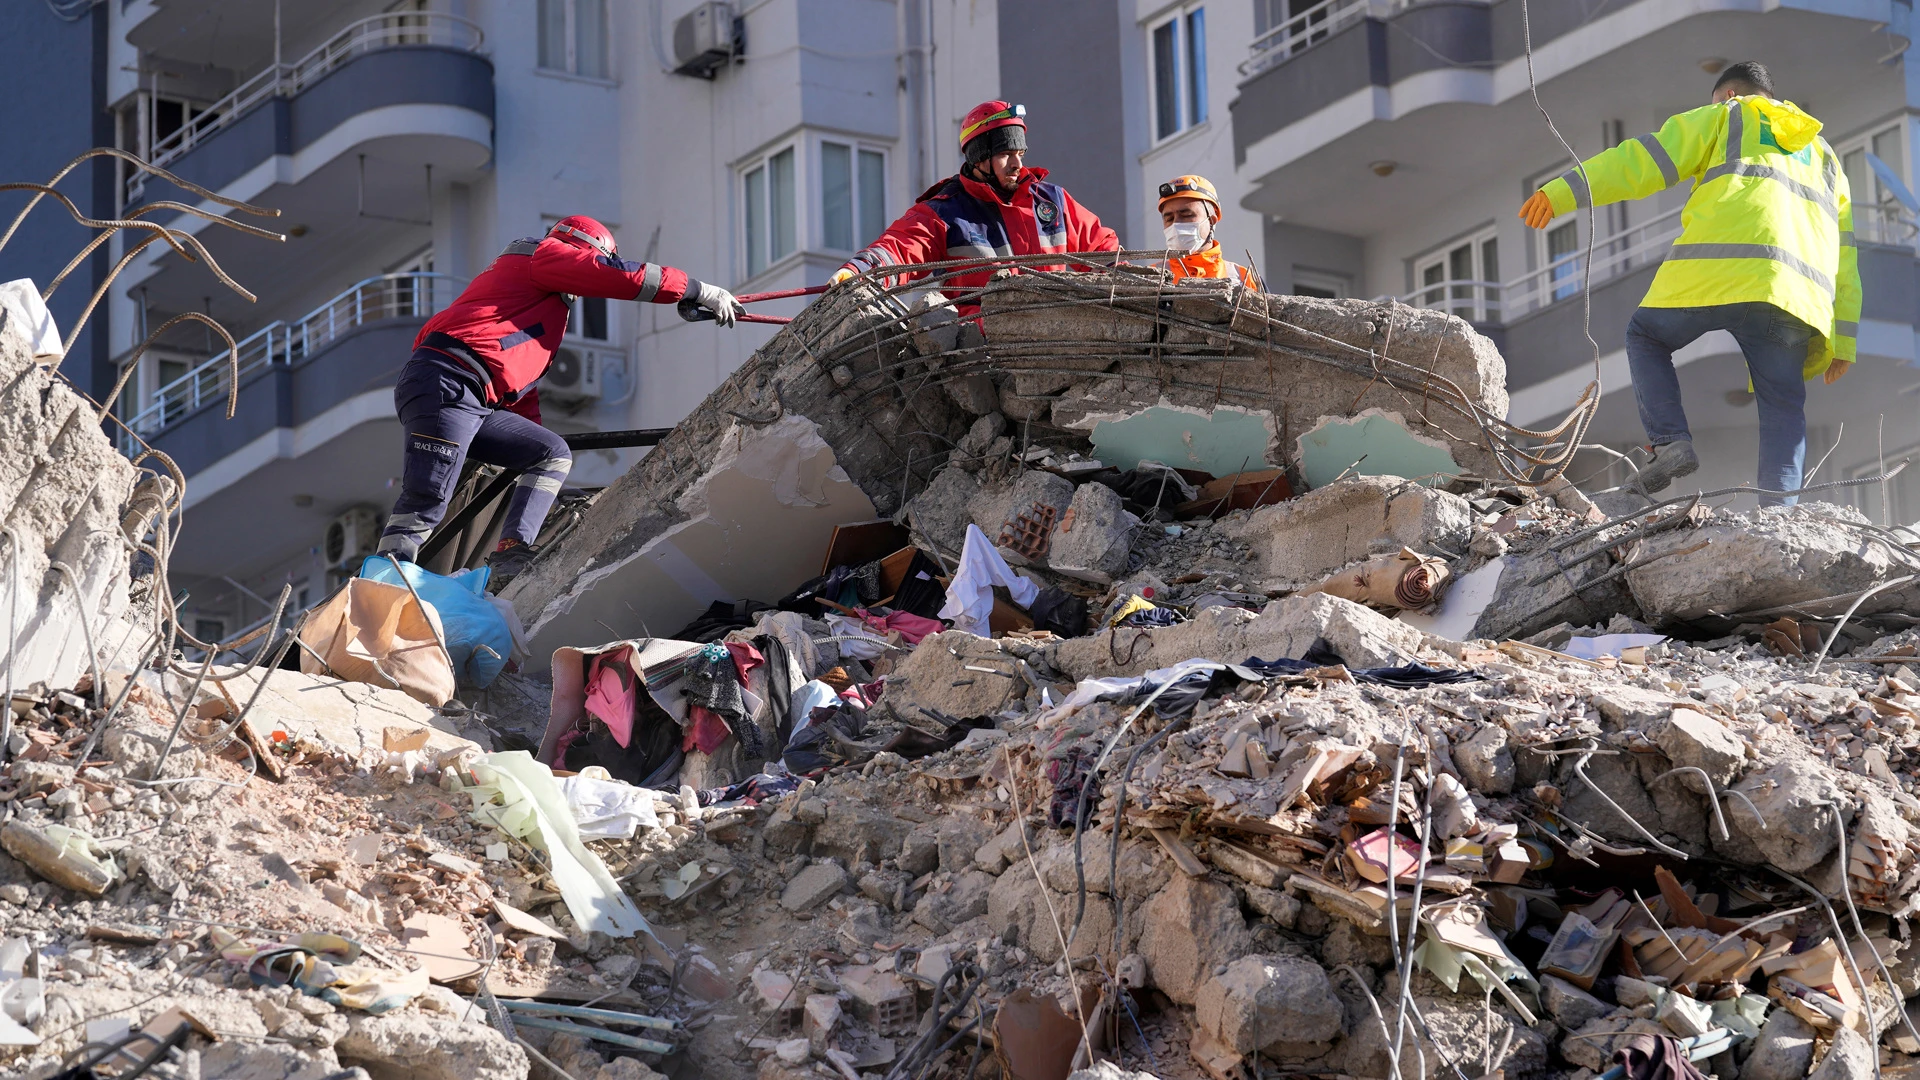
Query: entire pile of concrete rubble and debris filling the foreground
[[1259, 764]]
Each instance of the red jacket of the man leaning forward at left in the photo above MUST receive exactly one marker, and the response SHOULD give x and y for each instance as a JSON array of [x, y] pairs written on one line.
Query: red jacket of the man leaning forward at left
[[510, 320]]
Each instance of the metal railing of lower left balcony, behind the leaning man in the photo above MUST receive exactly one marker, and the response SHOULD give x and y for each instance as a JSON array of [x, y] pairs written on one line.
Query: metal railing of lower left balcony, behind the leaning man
[[387, 297]]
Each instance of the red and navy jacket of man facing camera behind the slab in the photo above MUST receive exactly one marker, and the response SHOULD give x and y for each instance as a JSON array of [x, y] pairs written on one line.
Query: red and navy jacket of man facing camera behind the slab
[[967, 220]]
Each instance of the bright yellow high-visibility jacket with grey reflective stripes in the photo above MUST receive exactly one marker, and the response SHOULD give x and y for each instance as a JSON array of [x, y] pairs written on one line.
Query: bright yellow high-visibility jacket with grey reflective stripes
[[1771, 218]]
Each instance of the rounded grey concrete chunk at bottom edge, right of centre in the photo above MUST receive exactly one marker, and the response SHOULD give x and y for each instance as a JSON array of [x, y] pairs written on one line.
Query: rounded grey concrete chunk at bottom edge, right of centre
[[1278, 1006]]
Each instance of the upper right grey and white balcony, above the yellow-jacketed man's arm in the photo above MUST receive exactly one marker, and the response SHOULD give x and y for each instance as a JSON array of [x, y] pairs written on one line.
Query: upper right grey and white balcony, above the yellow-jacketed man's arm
[[1370, 118]]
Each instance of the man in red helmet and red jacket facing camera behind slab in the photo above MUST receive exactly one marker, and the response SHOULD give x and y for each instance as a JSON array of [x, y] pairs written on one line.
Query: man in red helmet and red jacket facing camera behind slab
[[994, 209]]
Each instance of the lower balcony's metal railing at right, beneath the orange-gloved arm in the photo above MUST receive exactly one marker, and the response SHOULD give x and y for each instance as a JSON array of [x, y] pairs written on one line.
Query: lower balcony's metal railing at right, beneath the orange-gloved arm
[[1560, 280]]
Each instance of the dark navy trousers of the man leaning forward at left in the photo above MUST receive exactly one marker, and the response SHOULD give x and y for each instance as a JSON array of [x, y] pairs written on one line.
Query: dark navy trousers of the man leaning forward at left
[[446, 420]]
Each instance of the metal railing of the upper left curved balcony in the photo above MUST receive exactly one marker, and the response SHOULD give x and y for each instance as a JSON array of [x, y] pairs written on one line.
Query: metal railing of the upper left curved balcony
[[287, 80]]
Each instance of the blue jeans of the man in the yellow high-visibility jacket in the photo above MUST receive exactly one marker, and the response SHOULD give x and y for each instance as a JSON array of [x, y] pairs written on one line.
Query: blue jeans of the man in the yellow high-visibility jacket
[[1775, 345]]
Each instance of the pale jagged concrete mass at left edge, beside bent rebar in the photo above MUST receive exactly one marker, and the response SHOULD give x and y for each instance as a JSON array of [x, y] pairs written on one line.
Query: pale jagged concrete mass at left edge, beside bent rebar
[[64, 491]]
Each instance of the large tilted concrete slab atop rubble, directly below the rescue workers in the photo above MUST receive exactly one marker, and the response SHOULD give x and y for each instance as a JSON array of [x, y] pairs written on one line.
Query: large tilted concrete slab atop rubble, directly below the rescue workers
[[861, 397]]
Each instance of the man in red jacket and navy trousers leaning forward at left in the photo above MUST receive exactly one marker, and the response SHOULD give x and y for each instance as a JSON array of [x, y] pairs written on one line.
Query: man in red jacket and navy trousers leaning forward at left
[[469, 387]]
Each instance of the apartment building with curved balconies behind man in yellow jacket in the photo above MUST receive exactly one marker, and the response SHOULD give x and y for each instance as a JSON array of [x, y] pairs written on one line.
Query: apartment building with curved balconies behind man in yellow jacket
[[1391, 143]]
